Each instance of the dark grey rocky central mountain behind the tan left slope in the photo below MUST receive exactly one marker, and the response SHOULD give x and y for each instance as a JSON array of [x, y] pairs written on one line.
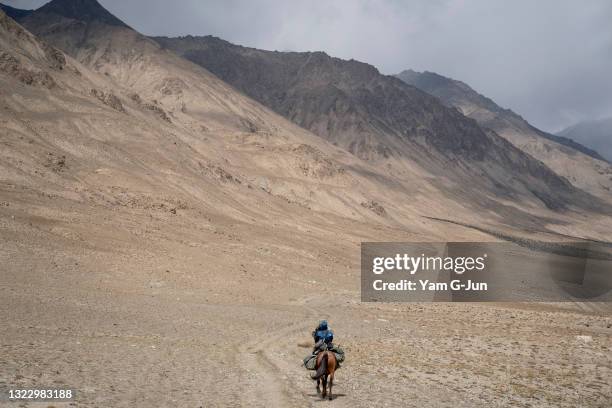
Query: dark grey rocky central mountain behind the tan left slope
[[375, 117]]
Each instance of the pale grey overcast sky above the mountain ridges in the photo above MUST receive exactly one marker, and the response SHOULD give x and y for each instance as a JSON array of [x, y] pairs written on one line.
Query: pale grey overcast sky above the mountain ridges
[[550, 61]]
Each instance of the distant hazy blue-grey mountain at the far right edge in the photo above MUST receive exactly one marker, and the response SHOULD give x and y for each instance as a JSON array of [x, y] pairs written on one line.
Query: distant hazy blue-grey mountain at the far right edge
[[596, 134]]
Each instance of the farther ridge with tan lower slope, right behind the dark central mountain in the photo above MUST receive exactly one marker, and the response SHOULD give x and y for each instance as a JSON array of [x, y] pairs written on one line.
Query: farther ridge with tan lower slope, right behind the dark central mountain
[[584, 167]]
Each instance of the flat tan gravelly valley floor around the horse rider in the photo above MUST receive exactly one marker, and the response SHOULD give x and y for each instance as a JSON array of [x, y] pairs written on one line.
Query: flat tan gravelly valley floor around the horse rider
[[217, 317]]
